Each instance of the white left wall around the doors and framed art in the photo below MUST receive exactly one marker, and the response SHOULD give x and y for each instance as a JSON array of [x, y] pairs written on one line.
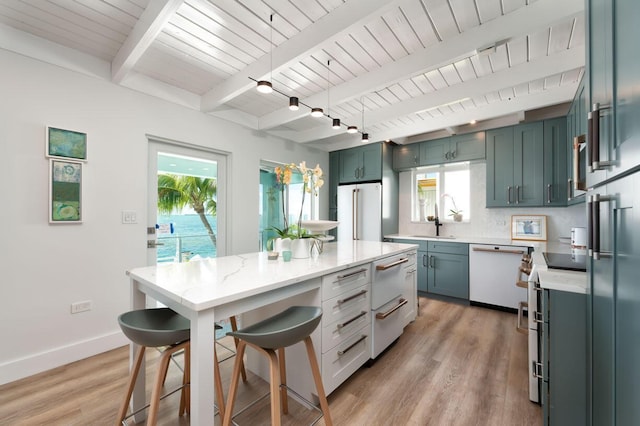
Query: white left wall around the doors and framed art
[[47, 267]]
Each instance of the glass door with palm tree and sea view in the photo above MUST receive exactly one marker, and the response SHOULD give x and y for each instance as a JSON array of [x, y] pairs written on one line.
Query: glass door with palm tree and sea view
[[186, 187]]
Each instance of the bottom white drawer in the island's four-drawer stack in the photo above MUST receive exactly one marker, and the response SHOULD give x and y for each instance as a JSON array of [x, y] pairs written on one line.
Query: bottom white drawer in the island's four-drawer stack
[[342, 361]]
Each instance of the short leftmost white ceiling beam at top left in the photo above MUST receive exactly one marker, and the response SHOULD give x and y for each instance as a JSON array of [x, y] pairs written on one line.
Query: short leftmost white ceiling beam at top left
[[151, 22]]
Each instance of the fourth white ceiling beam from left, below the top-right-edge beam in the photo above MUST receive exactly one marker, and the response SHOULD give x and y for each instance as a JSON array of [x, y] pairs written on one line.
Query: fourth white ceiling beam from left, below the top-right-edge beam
[[510, 77]]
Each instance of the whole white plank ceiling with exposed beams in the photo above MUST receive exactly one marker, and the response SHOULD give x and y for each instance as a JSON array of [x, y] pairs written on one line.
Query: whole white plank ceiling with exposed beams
[[412, 66]]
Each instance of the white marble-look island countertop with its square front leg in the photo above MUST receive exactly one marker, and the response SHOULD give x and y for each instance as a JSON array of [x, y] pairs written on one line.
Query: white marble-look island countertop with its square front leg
[[219, 288]]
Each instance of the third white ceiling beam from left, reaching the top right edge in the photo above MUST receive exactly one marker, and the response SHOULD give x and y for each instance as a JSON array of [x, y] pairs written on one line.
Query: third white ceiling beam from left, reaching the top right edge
[[523, 21]]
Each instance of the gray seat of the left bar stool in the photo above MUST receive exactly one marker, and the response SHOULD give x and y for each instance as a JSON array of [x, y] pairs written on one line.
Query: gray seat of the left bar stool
[[155, 327]]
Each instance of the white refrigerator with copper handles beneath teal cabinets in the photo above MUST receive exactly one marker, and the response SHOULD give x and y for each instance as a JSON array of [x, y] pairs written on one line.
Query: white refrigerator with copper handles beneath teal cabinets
[[360, 212]]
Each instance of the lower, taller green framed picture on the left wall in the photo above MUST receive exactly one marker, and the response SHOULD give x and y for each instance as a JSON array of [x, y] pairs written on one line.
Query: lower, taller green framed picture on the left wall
[[65, 191]]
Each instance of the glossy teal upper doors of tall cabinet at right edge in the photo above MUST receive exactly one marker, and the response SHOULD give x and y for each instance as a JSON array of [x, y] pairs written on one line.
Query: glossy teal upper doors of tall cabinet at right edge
[[613, 66]]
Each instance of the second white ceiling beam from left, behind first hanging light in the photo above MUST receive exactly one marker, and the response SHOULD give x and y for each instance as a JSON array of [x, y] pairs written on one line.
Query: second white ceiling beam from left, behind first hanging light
[[340, 21]]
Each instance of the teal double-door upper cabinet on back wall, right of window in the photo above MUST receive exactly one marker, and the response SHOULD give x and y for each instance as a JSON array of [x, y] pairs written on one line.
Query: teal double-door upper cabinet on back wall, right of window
[[515, 166]]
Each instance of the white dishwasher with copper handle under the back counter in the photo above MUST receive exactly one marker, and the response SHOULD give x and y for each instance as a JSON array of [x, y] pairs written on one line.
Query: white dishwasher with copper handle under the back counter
[[492, 275]]
